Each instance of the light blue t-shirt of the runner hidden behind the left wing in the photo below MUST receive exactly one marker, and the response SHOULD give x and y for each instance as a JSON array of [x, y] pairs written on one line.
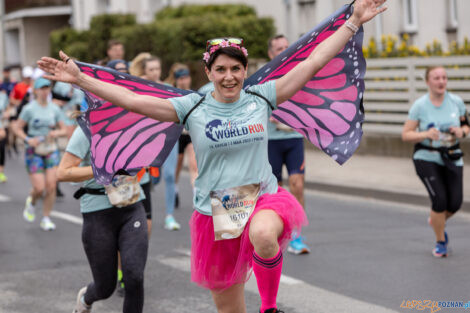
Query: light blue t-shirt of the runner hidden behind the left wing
[[79, 145]]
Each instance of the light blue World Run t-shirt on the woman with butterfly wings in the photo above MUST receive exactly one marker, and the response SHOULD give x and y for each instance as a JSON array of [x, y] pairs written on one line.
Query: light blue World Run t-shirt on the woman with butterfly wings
[[230, 141]]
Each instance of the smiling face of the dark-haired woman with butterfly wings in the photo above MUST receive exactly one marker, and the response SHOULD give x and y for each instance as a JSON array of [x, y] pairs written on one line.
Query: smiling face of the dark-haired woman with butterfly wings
[[228, 75]]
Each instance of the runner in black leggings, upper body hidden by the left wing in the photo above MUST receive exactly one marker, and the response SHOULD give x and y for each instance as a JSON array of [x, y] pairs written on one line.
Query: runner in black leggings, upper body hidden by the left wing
[[107, 229]]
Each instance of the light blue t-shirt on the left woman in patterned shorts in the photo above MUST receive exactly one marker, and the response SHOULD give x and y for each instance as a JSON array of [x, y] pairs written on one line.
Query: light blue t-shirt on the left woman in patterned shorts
[[41, 119]]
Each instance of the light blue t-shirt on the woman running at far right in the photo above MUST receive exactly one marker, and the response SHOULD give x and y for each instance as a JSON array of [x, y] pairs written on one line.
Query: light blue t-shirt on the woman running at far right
[[443, 117]]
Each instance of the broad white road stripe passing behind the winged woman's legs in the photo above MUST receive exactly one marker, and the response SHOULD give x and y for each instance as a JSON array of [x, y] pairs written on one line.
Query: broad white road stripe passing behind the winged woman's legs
[[294, 293]]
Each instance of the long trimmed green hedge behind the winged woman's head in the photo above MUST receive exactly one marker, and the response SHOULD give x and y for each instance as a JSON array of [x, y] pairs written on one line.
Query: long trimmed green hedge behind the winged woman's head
[[178, 34]]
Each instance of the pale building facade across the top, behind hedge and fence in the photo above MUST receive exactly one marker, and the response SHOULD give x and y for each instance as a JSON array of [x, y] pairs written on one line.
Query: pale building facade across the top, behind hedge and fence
[[25, 24]]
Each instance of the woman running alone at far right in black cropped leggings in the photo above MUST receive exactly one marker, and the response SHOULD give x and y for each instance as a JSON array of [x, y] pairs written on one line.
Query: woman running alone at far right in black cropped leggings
[[436, 123]]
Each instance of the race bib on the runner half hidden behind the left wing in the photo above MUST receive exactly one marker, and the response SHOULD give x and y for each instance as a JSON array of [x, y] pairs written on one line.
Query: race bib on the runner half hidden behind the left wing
[[123, 191]]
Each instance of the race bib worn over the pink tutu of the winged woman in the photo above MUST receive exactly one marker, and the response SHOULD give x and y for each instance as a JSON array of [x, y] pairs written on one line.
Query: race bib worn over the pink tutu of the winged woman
[[231, 209]]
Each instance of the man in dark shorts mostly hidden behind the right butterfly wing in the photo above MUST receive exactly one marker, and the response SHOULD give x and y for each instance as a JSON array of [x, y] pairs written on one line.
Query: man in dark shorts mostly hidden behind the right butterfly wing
[[286, 147]]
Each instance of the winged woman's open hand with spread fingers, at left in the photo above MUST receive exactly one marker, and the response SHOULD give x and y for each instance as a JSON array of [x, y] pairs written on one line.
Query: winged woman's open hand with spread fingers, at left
[[65, 71]]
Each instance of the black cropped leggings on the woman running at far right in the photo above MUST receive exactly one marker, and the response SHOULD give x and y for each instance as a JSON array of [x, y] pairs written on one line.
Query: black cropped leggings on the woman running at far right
[[444, 185]]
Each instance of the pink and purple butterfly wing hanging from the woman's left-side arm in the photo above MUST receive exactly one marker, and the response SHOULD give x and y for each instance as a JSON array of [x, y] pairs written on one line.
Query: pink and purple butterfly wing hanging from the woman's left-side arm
[[123, 141]]
